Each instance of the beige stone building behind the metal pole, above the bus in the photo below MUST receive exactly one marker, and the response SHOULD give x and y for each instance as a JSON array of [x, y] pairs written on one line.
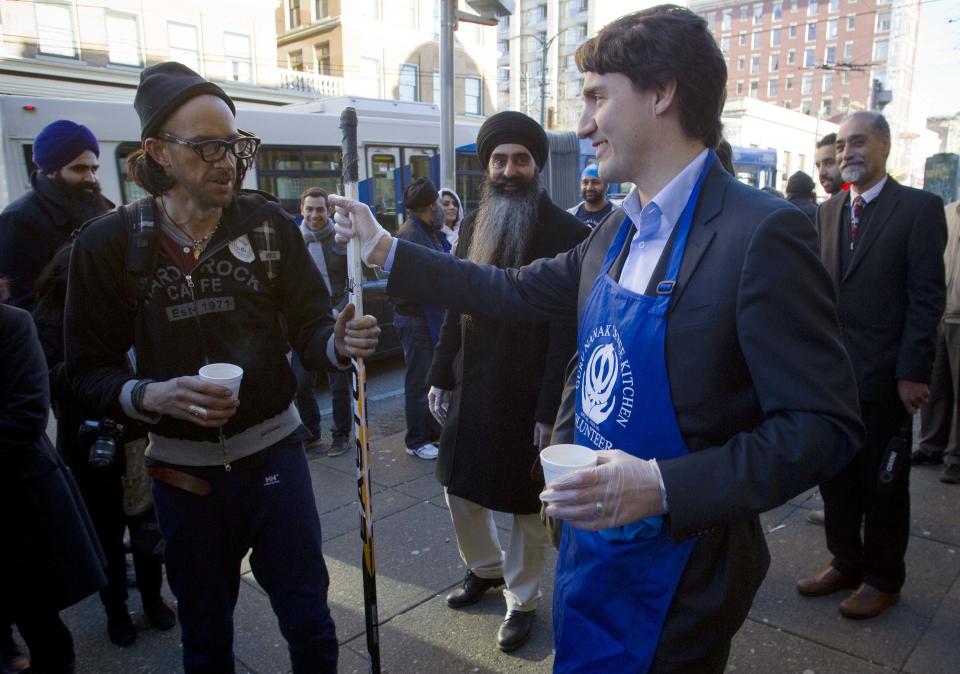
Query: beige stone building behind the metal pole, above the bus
[[385, 49]]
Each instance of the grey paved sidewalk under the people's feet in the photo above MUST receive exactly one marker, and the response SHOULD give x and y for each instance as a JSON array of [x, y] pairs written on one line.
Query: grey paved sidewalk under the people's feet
[[418, 563]]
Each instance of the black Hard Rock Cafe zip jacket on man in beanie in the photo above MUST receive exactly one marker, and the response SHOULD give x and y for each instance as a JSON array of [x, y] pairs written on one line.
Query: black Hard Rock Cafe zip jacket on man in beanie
[[244, 308]]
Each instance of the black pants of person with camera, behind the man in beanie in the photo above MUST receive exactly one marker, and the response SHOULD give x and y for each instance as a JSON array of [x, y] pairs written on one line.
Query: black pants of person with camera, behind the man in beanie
[[102, 493]]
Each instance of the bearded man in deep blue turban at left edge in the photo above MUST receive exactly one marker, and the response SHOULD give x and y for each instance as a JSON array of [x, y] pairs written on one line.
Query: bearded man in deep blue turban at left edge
[[65, 194]]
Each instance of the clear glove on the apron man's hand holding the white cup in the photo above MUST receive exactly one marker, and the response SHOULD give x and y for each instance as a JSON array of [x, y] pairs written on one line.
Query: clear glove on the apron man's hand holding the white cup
[[620, 490]]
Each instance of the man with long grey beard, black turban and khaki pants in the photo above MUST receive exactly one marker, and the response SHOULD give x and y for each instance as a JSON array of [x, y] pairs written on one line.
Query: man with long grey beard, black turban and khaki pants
[[496, 385]]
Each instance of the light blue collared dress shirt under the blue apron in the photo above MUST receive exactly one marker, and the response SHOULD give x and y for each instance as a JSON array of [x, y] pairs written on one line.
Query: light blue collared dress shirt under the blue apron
[[655, 222]]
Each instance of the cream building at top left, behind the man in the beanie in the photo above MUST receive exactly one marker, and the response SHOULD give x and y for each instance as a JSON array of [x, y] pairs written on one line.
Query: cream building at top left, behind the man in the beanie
[[96, 48]]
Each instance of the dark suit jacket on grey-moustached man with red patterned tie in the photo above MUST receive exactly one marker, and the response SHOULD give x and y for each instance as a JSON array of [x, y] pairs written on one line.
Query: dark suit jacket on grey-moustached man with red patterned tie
[[891, 297]]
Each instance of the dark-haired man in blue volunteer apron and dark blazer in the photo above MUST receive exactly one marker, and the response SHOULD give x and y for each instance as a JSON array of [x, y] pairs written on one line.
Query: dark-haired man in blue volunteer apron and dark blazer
[[711, 378]]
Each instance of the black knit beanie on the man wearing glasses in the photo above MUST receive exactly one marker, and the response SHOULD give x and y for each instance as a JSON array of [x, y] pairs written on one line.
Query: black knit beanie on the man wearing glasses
[[164, 87]]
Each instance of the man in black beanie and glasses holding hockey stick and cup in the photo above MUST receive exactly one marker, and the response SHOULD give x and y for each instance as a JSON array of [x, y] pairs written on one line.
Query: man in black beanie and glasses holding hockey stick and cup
[[222, 270]]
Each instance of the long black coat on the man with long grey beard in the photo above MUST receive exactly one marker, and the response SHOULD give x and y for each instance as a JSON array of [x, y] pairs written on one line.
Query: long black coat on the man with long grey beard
[[505, 376]]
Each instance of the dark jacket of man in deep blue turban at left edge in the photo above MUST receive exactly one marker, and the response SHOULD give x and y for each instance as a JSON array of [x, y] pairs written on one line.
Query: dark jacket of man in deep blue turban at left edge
[[32, 229]]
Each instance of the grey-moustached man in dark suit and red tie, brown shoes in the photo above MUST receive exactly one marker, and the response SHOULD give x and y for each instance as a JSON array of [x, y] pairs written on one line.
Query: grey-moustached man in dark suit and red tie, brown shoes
[[882, 244]]
